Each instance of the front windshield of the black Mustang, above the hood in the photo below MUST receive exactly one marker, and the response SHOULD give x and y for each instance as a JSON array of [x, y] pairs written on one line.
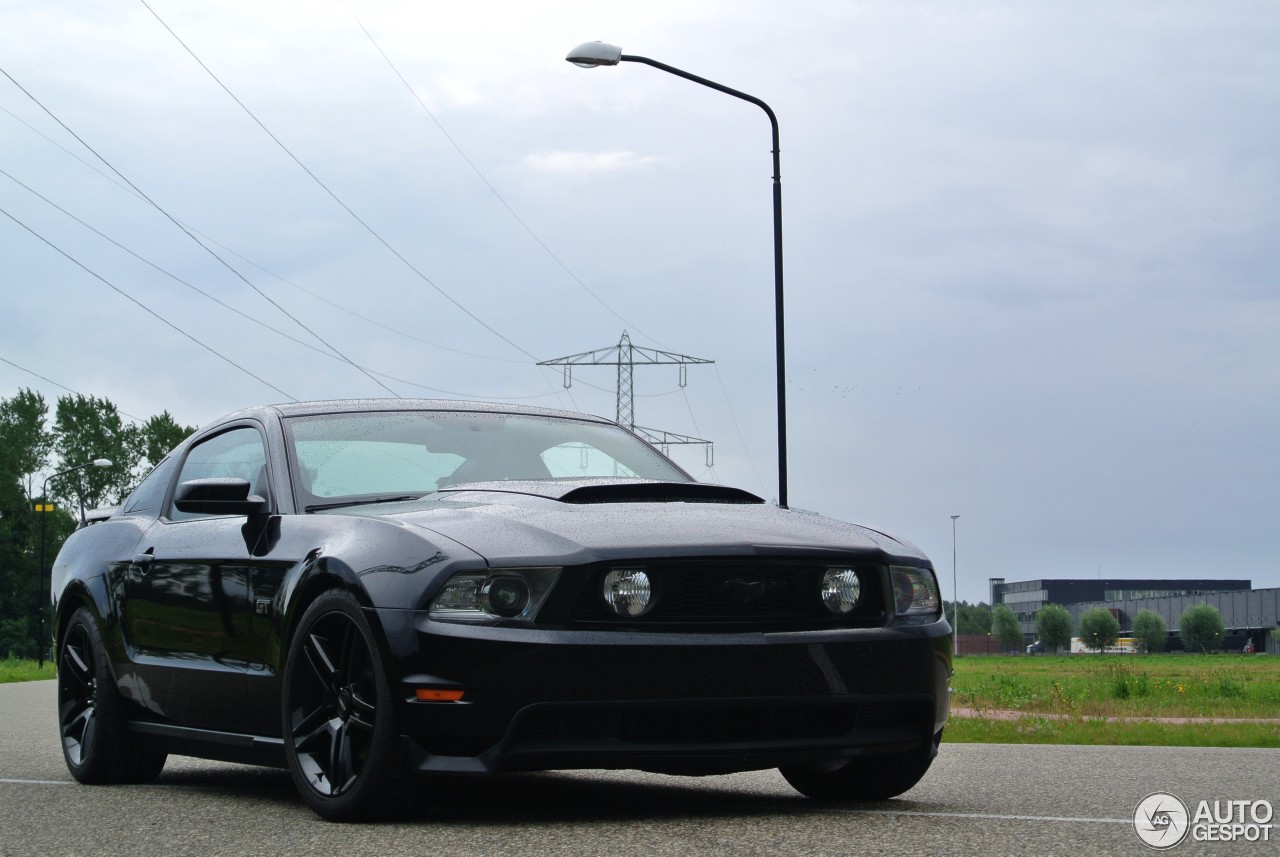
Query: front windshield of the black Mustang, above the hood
[[412, 453]]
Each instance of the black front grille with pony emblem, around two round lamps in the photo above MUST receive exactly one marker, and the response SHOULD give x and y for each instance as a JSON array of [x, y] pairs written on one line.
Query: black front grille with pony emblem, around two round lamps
[[766, 594]]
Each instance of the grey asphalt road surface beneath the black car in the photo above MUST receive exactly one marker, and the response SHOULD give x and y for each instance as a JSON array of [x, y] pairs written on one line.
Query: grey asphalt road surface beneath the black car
[[977, 800]]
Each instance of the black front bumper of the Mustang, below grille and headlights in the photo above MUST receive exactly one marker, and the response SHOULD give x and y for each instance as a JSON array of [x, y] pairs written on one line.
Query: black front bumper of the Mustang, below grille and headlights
[[671, 703]]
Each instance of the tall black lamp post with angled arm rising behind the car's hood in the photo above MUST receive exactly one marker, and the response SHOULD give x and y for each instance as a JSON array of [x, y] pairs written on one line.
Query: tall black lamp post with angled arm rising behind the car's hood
[[595, 54]]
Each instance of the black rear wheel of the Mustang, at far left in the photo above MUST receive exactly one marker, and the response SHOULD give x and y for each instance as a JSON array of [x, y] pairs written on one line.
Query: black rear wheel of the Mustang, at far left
[[93, 717]]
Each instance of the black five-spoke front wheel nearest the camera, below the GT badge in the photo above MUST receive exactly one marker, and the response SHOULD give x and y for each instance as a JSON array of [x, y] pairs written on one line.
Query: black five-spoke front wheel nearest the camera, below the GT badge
[[337, 712]]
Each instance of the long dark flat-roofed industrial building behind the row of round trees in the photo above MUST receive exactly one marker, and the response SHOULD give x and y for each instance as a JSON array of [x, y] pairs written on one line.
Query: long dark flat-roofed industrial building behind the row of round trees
[[1247, 613]]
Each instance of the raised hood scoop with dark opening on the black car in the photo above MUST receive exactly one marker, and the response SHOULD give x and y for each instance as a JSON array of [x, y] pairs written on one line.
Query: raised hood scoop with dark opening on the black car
[[612, 491]]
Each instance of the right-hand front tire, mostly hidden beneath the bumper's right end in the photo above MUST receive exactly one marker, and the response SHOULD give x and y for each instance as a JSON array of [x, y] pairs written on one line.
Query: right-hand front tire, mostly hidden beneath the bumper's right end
[[863, 778]]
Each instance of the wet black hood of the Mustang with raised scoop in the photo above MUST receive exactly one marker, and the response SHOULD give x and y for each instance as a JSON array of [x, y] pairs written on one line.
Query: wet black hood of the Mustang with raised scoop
[[586, 521]]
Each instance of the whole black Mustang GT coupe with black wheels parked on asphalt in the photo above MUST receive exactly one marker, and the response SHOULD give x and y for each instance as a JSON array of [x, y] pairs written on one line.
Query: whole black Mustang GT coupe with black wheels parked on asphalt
[[362, 592]]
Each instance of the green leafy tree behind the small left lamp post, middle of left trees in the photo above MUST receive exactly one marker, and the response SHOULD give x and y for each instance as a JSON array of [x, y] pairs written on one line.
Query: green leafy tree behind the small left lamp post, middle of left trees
[[86, 429]]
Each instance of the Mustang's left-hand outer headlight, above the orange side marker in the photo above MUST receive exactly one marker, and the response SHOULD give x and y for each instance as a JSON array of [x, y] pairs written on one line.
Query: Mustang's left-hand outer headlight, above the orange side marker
[[493, 597]]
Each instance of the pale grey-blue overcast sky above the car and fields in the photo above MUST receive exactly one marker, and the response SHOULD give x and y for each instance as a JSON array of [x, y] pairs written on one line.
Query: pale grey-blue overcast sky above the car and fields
[[1032, 267]]
